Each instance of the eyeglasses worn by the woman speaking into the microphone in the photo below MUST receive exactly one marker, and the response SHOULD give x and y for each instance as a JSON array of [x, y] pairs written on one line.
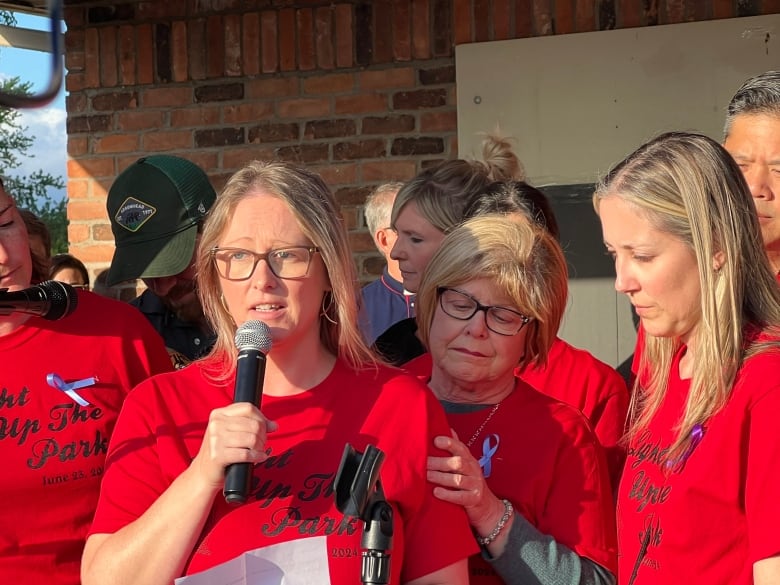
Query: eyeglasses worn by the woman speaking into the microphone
[[240, 264]]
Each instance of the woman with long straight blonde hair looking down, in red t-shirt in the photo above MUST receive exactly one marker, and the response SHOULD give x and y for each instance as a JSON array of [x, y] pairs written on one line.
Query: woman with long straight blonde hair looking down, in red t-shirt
[[697, 501]]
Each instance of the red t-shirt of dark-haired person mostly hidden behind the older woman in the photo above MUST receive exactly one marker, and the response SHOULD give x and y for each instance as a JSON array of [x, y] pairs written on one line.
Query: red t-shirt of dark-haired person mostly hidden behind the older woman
[[578, 379]]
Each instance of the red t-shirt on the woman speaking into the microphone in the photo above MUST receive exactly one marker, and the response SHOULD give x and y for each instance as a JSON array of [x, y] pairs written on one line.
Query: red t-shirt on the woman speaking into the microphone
[[293, 495]]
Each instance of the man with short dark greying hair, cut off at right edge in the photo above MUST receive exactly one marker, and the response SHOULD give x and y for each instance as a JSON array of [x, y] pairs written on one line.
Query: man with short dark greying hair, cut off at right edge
[[752, 136]]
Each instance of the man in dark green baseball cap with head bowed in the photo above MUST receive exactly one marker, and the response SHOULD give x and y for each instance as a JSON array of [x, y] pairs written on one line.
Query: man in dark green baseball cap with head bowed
[[157, 207]]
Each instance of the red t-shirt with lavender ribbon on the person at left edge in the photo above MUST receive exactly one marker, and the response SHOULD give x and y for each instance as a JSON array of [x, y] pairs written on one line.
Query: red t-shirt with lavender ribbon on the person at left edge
[[52, 449]]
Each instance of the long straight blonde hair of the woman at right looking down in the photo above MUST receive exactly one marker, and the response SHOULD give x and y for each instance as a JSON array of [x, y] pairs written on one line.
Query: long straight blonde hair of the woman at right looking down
[[688, 186]]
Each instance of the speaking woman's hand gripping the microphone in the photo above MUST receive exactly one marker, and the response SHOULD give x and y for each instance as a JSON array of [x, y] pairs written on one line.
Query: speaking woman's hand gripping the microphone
[[236, 433]]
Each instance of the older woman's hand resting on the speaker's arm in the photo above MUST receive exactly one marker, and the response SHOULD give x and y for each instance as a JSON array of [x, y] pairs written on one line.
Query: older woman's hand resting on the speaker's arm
[[461, 482]]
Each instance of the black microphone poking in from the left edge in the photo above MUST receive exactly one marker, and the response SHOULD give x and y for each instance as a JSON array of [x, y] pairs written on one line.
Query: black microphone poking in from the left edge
[[51, 300]]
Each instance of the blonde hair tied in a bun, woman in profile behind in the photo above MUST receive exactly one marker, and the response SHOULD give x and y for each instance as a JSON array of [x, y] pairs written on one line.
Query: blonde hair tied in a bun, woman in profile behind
[[445, 191]]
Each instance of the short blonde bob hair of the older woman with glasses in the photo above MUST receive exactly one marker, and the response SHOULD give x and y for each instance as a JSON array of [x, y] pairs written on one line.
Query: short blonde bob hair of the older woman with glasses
[[522, 261]]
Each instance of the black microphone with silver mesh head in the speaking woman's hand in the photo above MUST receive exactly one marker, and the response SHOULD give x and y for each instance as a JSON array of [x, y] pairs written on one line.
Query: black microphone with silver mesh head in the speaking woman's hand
[[253, 340]]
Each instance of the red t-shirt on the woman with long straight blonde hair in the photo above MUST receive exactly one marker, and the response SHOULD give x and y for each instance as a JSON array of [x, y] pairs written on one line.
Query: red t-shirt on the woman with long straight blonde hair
[[716, 512]]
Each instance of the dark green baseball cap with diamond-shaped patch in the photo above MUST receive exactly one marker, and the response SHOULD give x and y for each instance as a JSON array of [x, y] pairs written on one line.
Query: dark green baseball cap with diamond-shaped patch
[[155, 207]]
